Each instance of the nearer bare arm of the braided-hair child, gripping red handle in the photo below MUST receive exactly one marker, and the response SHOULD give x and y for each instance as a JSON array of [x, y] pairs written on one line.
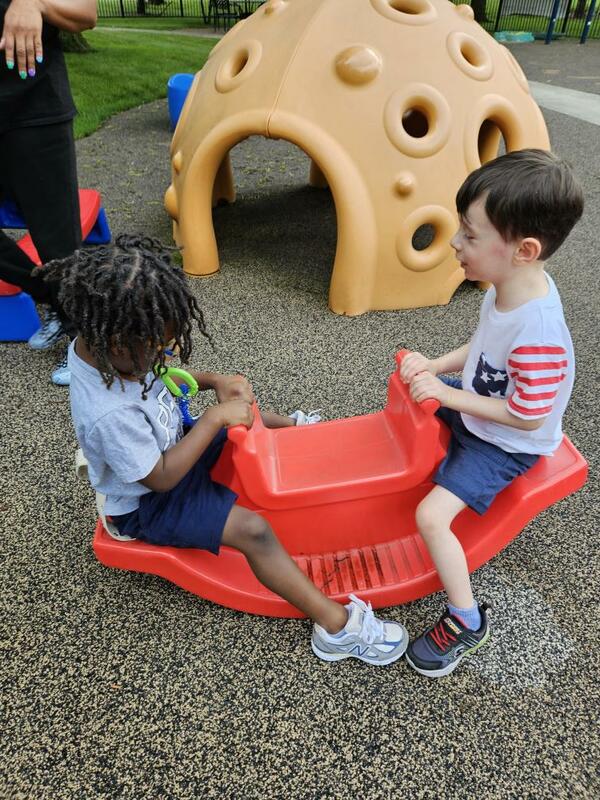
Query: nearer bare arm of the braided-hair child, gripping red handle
[[176, 462]]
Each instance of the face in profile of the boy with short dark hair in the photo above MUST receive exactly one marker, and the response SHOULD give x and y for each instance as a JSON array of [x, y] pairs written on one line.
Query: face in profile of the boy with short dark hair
[[483, 253]]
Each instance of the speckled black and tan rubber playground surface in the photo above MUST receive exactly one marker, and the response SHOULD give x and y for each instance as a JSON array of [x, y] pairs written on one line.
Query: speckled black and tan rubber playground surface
[[120, 685]]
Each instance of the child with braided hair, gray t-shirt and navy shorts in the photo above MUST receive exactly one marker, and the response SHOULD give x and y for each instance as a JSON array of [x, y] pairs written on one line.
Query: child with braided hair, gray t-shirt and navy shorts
[[131, 306]]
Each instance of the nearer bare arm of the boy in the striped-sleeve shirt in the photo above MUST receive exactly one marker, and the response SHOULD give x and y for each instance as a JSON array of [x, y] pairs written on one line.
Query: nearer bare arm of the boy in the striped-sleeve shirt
[[424, 386]]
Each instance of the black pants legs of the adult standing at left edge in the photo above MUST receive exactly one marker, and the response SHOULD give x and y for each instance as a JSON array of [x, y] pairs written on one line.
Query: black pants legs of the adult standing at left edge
[[38, 169]]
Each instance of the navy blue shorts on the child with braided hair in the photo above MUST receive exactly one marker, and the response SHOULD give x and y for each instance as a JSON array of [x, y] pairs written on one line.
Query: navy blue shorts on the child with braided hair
[[191, 514]]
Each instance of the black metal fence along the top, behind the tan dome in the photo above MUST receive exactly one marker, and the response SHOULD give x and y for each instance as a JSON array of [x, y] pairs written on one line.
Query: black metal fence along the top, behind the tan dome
[[544, 18]]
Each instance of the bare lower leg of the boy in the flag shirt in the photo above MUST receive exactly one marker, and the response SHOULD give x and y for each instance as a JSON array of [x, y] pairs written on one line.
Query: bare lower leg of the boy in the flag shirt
[[434, 517]]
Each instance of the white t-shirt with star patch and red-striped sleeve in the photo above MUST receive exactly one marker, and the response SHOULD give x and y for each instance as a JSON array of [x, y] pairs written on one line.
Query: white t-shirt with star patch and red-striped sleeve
[[525, 355]]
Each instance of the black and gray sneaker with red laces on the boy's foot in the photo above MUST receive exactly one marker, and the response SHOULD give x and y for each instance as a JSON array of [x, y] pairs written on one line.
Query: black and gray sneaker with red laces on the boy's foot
[[441, 649]]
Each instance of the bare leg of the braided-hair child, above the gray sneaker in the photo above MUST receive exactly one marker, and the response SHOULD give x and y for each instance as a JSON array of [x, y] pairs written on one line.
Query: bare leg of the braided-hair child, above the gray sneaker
[[252, 535]]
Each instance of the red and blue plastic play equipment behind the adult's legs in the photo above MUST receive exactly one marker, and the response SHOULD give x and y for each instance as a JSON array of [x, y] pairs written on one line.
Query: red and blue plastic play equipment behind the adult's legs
[[18, 315]]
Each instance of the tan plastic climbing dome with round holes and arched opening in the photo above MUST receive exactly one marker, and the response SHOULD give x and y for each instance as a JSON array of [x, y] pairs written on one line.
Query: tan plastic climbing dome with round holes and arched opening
[[394, 101]]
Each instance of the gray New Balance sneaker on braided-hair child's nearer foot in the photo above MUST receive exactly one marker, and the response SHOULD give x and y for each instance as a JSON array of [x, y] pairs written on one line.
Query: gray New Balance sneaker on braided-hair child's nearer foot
[[366, 637]]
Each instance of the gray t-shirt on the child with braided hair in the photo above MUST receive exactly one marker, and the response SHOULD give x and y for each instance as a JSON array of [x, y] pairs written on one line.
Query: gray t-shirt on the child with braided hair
[[121, 435]]
